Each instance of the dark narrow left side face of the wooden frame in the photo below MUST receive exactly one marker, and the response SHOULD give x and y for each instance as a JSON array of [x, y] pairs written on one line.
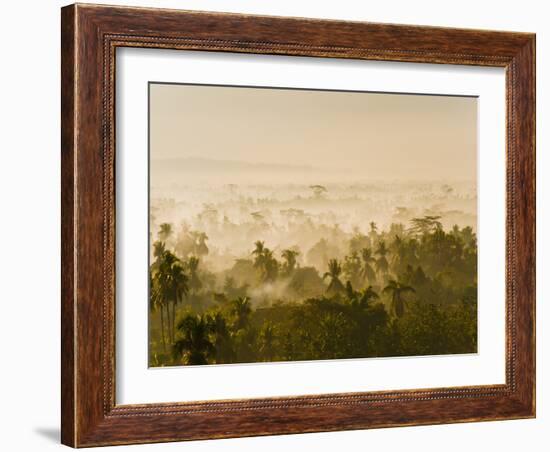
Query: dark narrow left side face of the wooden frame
[[68, 211]]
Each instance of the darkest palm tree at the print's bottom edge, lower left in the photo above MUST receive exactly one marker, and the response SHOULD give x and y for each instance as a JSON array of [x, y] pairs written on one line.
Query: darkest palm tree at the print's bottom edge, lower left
[[193, 345]]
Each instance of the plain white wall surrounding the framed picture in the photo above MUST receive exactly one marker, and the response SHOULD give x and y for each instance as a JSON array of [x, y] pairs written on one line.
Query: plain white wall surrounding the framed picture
[[29, 328]]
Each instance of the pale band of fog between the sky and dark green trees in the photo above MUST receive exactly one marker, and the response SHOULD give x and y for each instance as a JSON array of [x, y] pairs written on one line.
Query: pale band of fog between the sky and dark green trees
[[298, 214]]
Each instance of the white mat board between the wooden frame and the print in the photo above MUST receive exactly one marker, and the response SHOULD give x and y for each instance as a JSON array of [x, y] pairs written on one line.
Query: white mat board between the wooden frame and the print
[[138, 384]]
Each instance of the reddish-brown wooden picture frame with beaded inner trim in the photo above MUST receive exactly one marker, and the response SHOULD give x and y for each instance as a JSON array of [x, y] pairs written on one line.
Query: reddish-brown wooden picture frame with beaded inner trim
[[90, 36]]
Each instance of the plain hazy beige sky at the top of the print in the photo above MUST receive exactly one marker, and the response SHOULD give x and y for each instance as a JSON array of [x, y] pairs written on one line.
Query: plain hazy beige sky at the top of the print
[[378, 136]]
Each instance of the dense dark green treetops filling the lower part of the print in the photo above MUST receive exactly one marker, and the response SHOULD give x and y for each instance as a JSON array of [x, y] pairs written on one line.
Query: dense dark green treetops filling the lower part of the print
[[401, 292]]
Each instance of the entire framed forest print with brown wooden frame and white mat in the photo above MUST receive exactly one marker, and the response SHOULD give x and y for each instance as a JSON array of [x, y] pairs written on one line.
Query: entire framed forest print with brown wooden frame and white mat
[[281, 225]]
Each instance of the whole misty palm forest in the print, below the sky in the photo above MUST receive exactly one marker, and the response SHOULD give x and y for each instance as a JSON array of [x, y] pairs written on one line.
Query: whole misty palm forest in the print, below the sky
[[299, 271]]
